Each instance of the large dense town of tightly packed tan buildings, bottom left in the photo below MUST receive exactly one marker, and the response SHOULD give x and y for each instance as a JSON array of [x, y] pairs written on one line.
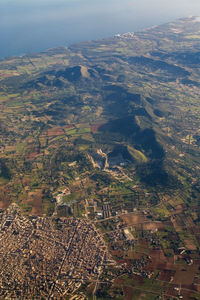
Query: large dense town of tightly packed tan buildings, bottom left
[[45, 257]]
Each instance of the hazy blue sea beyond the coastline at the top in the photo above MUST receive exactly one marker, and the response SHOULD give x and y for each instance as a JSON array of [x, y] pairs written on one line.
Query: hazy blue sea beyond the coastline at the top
[[31, 26]]
